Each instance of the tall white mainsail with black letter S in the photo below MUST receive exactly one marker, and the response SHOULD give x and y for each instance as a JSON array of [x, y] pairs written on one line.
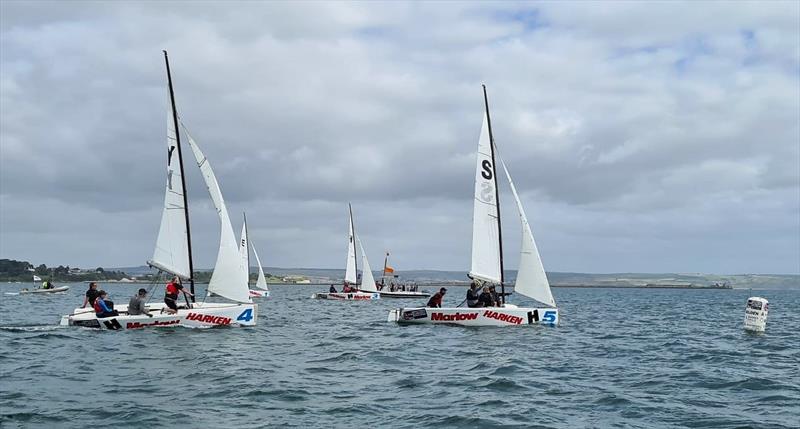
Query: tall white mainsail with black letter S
[[485, 232]]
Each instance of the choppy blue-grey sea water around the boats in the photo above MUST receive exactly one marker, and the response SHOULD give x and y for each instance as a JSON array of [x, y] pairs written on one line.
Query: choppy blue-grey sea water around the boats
[[620, 358]]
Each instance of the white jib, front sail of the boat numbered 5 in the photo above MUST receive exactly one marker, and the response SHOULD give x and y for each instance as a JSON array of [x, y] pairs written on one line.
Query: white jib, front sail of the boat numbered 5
[[531, 278]]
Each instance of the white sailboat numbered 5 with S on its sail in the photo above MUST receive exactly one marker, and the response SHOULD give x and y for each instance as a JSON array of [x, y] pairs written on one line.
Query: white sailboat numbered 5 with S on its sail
[[487, 256]]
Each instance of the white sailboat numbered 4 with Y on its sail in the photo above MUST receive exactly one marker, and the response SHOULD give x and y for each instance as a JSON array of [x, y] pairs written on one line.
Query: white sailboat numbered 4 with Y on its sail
[[173, 253]]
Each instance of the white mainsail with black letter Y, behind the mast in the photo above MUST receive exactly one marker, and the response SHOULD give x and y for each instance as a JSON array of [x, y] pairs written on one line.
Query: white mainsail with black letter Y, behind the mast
[[171, 253]]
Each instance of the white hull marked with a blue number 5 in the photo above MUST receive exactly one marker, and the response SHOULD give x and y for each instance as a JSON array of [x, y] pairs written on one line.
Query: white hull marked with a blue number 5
[[465, 316]]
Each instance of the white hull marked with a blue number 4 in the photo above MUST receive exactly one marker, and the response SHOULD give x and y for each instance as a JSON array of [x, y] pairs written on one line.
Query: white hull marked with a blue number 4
[[201, 315]]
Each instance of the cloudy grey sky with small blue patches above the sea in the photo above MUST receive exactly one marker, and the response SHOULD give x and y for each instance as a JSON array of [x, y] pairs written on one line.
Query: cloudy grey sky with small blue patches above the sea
[[643, 137]]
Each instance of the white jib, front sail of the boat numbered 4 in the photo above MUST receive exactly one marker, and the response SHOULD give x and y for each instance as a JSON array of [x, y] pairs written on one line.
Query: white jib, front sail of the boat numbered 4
[[229, 279]]
